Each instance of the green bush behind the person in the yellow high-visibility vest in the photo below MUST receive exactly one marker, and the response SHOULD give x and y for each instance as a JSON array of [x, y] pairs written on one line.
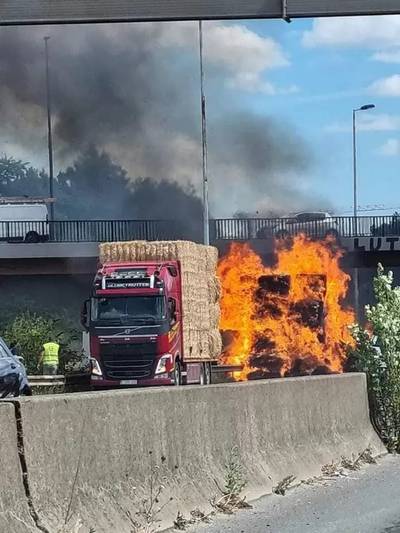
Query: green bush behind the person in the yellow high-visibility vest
[[28, 331]]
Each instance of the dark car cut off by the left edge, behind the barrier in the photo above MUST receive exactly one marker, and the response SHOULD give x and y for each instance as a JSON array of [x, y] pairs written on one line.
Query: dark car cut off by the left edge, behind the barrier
[[13, 377]]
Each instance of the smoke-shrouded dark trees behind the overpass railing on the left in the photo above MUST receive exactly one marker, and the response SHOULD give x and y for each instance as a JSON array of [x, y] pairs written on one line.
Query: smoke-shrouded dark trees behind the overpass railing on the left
[[95, 187]]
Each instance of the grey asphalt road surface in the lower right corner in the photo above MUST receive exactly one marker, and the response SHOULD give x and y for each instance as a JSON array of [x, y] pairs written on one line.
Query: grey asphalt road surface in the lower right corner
[[365, 501]]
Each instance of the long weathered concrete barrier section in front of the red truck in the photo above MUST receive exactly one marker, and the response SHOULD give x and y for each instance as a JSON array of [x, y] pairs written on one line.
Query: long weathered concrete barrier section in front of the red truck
[[97, 457]]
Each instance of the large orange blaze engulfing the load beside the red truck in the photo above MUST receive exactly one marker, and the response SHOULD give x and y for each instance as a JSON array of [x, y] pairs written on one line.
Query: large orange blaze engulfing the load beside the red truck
[[289, 319]]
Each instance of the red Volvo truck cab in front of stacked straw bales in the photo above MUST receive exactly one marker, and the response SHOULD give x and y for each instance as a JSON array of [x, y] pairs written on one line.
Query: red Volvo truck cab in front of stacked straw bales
[[133, 327]]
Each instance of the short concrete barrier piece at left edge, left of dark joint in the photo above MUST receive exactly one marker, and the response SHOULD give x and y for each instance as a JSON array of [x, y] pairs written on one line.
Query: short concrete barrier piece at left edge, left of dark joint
[[14, 511]]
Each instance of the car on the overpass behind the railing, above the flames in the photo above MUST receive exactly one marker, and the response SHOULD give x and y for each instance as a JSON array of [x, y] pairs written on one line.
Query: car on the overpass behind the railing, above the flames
[[312, 224]]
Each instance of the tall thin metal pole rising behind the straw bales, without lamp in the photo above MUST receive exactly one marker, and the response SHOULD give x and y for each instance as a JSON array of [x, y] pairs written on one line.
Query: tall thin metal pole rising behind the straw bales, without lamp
[[206, 221]]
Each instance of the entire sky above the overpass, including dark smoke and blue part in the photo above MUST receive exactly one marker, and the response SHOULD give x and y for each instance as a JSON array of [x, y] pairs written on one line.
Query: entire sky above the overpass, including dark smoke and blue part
[[279, 106]]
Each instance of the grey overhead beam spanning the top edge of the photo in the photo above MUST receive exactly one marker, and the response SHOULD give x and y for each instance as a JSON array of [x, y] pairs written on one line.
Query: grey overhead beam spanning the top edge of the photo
[[86, 11]]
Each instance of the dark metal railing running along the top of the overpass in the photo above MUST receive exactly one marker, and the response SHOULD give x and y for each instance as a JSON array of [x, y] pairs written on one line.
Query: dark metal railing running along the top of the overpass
[[220, 229]]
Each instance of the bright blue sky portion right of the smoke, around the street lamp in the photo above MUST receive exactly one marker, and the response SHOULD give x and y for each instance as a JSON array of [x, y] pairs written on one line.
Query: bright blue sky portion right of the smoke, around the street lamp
[[337, 65]]
